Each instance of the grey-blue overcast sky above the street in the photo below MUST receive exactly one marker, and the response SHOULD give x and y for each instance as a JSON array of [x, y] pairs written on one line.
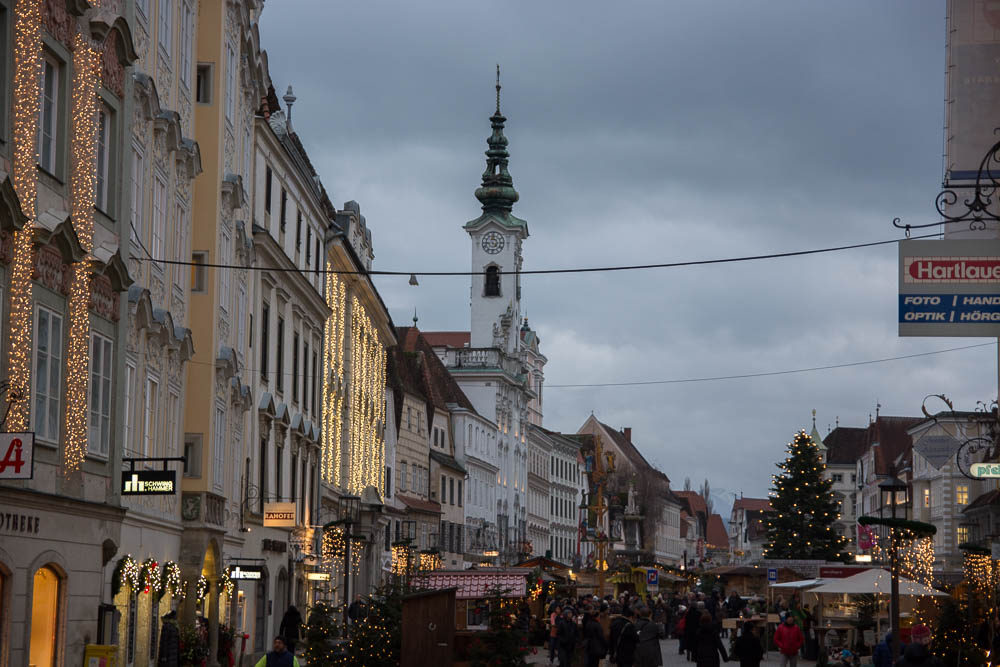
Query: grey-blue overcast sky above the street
[[652, 132]]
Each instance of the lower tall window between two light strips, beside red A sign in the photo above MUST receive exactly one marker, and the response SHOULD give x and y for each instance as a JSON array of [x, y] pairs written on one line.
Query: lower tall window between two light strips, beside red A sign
[[48, 363]]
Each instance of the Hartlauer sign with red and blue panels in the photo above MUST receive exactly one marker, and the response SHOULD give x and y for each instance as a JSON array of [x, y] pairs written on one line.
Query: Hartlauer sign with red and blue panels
[[949, 288]]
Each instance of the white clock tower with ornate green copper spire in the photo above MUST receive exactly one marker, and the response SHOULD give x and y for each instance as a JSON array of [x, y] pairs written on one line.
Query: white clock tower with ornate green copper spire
[[496, 237]]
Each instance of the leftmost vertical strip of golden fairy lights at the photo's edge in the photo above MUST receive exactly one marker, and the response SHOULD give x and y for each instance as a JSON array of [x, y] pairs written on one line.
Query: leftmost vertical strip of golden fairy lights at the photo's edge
[[27, 69]]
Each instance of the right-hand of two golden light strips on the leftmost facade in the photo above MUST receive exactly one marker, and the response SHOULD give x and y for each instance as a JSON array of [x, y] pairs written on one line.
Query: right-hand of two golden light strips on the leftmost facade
[[86, 71]]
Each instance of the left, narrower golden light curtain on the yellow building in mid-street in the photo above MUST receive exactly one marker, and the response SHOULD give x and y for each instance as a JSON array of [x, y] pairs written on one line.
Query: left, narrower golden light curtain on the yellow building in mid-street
[[333, 372]]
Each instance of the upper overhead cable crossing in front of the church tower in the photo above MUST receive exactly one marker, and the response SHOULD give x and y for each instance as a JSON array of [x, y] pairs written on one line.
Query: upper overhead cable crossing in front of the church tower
[[591, 269]]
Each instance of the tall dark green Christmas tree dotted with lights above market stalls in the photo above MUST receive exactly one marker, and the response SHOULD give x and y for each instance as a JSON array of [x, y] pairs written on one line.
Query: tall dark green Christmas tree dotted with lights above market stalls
[[803, 507]]
